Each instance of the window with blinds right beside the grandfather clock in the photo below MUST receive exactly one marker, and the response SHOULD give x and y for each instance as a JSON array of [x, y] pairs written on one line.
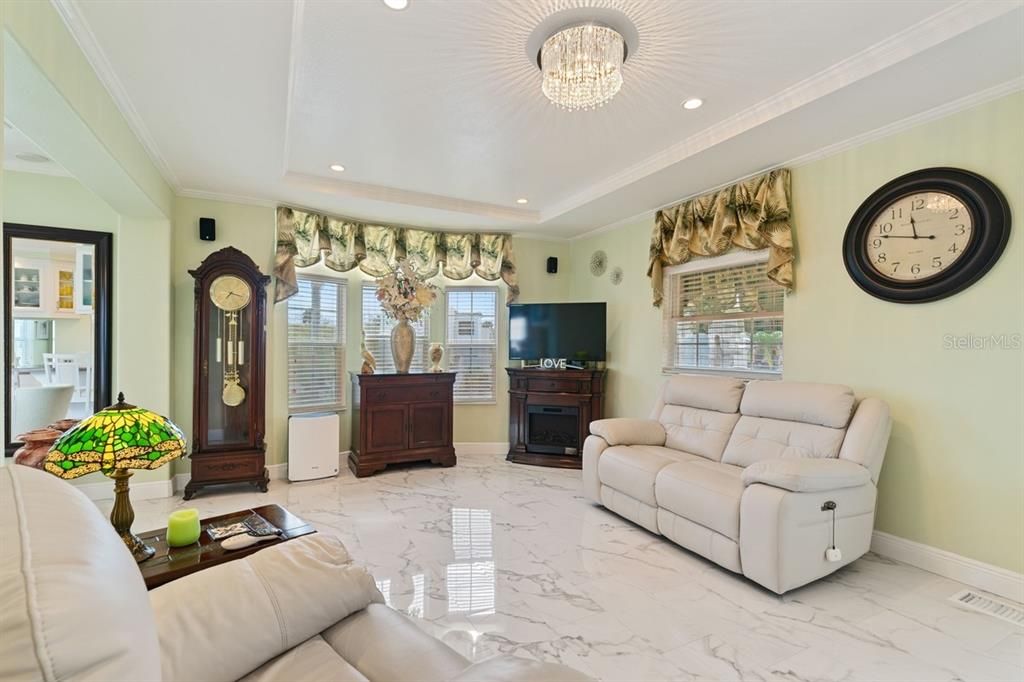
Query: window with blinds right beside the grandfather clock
[[317, 346]]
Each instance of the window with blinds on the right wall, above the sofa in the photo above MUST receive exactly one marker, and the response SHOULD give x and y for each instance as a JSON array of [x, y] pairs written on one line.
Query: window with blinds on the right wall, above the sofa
[[723, 315]]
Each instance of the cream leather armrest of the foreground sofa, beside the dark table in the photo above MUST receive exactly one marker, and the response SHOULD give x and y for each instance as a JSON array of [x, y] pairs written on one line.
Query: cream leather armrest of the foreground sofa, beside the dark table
[[220, 624]]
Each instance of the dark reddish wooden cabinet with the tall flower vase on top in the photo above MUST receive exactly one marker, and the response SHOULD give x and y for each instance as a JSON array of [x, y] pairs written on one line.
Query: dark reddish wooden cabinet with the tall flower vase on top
[[401, 418]]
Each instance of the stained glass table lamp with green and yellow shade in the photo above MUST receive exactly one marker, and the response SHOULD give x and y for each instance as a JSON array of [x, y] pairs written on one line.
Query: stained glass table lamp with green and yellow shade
[[117, 441]]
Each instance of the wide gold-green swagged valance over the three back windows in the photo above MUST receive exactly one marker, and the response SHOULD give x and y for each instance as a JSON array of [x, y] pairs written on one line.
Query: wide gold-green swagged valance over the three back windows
[[305, 238]]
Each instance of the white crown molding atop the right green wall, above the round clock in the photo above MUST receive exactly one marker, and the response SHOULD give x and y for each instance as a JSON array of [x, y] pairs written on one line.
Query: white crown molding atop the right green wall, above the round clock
[[942, 112]]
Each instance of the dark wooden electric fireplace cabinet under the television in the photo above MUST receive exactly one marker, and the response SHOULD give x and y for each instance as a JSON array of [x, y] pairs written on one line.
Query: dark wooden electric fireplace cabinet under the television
[[550, 412]]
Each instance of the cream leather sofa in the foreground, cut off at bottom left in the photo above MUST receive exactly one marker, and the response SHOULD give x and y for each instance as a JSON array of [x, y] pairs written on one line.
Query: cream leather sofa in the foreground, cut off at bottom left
[[73, 607]]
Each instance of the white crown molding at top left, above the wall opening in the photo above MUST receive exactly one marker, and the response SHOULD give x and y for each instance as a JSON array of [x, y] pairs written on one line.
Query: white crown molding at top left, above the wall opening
[[97, 58]]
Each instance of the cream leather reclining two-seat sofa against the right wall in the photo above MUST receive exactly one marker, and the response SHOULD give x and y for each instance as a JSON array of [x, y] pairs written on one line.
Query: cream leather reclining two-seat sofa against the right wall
[[740, 473]]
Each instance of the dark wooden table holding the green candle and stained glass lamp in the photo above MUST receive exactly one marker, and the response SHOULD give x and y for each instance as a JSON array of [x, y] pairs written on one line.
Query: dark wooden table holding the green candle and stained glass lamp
[[170, 564]]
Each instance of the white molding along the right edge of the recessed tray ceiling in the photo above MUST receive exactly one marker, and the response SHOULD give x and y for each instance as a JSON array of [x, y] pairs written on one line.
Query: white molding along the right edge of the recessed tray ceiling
[[926, 34]]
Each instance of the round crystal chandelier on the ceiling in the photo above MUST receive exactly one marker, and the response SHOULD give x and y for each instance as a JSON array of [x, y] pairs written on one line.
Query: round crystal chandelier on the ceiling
[[583, 66]]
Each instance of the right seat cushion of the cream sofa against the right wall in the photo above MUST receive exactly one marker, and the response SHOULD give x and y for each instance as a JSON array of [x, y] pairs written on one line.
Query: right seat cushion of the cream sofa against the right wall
[[706, 493]]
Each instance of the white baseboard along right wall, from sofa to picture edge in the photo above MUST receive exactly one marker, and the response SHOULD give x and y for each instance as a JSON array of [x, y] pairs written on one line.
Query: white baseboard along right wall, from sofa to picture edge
[[984, 576]]
